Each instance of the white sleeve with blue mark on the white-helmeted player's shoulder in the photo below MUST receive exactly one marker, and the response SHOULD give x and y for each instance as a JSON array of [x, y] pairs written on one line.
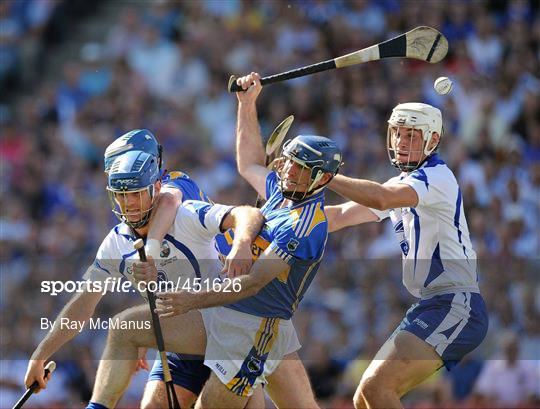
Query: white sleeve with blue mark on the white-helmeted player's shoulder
[[431, 185]]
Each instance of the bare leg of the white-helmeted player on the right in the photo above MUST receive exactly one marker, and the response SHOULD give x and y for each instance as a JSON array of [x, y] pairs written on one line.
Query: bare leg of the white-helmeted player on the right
[[402, 363]]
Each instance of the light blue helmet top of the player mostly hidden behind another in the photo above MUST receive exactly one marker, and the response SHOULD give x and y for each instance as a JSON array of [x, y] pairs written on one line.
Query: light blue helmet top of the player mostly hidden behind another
[[136, 140]]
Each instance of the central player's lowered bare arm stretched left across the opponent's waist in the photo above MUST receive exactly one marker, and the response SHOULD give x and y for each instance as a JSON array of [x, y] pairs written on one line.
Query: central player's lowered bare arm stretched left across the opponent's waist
[[267, 267]]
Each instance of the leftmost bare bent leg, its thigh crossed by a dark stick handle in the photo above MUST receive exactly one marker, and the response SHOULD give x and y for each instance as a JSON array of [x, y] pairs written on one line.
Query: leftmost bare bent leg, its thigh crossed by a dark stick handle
[[183, 333]]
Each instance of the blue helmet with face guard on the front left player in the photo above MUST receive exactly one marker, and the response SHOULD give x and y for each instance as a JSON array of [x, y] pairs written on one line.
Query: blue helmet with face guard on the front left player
[[131, 173]]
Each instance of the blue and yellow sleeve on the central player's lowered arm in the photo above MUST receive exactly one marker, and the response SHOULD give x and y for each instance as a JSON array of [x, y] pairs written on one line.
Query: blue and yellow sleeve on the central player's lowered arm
[[303, 239]]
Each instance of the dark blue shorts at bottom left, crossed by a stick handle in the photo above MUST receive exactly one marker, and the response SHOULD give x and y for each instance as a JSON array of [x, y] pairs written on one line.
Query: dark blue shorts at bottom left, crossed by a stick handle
[[187, 371]]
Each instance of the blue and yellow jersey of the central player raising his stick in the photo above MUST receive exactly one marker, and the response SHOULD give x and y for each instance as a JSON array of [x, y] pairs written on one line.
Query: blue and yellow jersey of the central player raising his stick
[[298, 235]]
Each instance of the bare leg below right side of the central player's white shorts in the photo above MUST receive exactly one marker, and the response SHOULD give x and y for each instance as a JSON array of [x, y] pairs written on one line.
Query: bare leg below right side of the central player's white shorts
[[289, 385]]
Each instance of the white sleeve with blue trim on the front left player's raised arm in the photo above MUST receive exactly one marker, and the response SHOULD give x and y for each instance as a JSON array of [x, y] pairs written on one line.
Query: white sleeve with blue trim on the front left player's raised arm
[[204, 219]]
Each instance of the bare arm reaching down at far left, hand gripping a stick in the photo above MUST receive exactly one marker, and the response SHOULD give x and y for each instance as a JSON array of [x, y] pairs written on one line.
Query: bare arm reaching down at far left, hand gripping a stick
[[80, 308]]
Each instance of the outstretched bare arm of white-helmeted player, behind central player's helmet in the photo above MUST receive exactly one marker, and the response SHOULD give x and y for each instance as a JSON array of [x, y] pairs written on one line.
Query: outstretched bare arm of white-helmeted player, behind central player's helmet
[[373, 194]]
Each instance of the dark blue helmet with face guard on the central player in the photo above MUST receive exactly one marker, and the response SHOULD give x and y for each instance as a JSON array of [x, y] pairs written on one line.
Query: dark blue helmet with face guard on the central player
[[316, 154]]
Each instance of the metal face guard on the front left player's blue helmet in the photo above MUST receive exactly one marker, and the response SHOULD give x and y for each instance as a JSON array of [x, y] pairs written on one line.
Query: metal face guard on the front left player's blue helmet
[[120, 205]]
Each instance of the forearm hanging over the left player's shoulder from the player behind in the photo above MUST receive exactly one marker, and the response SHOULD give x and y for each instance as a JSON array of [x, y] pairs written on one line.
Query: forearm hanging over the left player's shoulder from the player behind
[[163, 216]]
